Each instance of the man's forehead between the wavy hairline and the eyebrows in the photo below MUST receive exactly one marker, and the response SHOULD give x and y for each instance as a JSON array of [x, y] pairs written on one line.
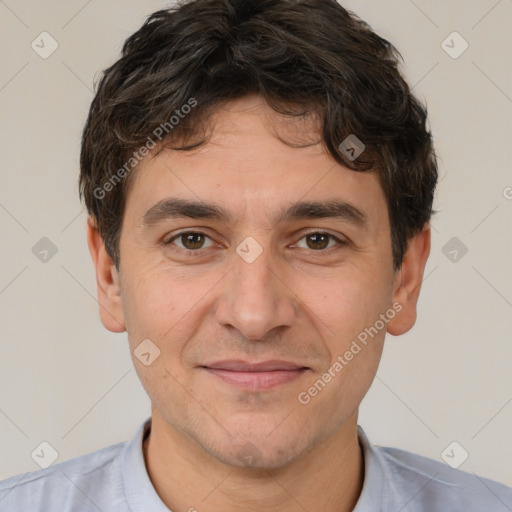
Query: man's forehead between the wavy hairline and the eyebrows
[[256, 161]]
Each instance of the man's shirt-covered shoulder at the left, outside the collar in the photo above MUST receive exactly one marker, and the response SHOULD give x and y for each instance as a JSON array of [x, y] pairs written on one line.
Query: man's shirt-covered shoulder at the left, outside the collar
[[82, 483]]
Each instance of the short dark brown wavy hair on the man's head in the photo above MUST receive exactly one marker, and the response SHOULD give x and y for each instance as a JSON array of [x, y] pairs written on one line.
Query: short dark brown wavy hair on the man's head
[[303, 56]]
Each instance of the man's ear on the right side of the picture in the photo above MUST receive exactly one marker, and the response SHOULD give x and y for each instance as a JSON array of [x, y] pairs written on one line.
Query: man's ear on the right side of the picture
[[407, 282]]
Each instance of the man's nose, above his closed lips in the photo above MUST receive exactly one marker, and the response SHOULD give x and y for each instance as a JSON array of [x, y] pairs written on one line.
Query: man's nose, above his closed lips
[[256, 298]]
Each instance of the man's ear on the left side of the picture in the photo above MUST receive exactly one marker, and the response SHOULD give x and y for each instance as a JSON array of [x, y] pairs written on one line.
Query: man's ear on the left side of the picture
[[107, 281]]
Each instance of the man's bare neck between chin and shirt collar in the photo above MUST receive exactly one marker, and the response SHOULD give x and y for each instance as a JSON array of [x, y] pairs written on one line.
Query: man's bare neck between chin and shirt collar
[[329, 477]]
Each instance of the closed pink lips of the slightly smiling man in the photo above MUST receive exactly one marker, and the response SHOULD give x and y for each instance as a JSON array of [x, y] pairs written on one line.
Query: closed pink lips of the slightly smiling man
[[255, 376]]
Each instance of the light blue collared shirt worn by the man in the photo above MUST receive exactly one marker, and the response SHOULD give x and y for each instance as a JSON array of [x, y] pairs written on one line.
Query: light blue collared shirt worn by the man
[[115, 479]]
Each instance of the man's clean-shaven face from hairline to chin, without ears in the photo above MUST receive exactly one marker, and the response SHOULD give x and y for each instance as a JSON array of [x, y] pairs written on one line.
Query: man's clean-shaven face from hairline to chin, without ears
[[262, 286]]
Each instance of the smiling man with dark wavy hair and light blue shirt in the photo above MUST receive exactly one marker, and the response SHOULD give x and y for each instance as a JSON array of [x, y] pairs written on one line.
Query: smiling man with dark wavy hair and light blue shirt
[[259, 181]]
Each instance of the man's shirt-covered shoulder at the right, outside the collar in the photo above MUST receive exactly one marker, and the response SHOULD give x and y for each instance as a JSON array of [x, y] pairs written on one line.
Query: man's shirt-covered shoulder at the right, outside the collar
[[424, 484]]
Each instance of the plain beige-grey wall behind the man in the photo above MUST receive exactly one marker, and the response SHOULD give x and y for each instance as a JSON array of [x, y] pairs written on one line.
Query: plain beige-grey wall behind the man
[[64, 379]]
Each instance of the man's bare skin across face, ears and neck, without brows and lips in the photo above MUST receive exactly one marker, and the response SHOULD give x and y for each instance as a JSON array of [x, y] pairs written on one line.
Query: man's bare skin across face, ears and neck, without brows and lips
[[301, 301]]
